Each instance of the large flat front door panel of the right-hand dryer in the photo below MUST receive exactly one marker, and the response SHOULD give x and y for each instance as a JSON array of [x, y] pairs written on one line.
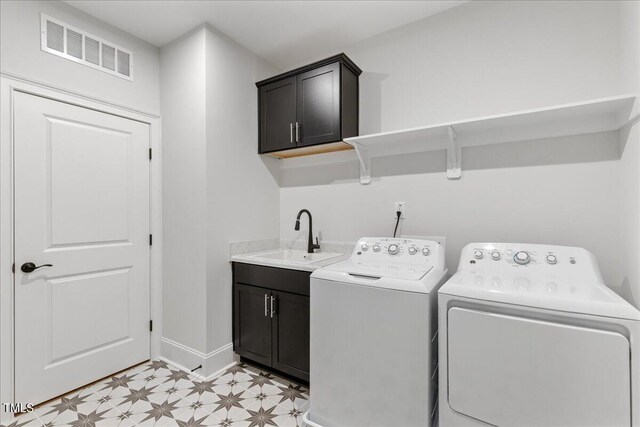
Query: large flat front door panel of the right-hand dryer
[[512, 371]]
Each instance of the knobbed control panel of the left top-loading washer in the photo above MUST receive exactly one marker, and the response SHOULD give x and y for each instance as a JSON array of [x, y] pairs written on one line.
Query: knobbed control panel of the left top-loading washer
[[410, 251]]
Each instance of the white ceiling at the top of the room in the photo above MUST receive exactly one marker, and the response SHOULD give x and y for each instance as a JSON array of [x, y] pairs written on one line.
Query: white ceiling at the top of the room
[[283, 32]]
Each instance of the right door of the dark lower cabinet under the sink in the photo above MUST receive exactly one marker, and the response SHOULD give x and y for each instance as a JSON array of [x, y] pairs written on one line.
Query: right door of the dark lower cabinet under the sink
[[291, 334]]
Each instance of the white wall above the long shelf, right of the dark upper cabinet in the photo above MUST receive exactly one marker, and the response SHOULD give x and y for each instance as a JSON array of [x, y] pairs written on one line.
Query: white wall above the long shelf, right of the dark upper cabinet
[[486, 58]]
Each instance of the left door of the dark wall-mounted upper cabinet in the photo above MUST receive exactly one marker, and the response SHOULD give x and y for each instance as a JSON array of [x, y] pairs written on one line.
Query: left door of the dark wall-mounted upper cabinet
[[278, 115]]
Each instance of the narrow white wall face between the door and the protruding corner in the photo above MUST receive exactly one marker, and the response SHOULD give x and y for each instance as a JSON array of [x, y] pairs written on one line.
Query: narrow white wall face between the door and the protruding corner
[[183, 77]]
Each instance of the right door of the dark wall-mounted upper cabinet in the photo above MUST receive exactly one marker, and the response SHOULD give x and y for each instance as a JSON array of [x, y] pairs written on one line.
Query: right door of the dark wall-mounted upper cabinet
[[318, 105]]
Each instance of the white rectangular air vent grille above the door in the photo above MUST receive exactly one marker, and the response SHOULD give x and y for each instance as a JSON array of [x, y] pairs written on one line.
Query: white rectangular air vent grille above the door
[[79, 46]]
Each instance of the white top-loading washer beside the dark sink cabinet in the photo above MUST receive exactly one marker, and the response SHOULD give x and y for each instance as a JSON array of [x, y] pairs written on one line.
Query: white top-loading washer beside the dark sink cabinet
[[373, 322]]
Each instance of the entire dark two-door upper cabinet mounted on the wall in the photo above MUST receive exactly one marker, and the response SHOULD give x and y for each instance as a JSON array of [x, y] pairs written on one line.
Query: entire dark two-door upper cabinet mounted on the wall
[[310, 109]]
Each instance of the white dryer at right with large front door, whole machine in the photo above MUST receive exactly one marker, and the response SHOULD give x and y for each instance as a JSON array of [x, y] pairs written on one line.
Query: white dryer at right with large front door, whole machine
[[531, 336]]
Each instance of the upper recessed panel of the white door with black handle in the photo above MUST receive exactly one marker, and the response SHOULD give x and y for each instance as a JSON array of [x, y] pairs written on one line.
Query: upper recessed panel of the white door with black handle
[[90, 183]]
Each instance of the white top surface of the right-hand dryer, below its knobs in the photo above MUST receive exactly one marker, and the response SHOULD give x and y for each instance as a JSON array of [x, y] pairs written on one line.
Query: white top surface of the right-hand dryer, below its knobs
[[560, 292]]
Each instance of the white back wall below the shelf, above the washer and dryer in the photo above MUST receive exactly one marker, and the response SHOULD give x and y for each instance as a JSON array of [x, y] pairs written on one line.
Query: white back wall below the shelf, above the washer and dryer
[[501, 197]]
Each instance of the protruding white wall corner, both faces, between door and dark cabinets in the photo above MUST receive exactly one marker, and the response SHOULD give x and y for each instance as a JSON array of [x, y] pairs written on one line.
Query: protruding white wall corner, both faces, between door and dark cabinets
[[216, 189]]
